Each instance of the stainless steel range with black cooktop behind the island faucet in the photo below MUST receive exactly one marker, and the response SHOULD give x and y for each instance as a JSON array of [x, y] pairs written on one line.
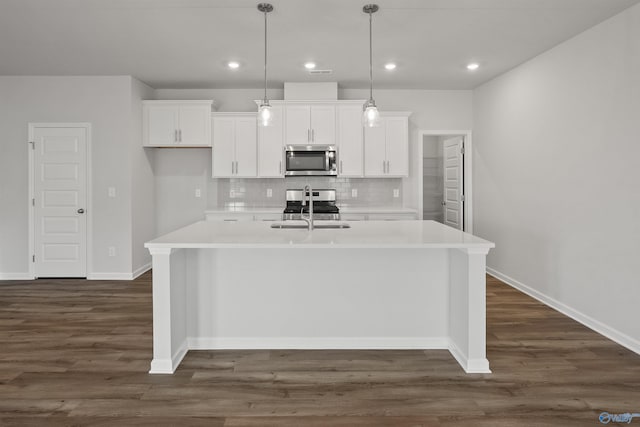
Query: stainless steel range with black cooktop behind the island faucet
[[324, 205]]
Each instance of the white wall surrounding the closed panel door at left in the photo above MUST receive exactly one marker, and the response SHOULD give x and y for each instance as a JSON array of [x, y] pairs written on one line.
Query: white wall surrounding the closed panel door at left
[[105, 102]]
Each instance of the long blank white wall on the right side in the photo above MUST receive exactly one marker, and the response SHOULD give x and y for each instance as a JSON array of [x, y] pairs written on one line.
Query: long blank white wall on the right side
[[556, 176]]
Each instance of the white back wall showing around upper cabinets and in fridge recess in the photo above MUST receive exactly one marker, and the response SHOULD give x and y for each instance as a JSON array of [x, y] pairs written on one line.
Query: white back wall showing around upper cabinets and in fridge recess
[[178, 173]]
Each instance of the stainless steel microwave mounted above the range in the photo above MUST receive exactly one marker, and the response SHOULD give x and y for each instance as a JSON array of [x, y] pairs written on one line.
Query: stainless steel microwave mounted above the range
[[311, 160]]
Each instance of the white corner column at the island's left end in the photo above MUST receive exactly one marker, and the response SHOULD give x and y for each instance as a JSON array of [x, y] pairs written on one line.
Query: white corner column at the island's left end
[[169, 309]]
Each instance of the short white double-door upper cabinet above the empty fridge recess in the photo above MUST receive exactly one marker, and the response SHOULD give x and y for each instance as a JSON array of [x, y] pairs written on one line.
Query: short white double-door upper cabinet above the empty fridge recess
[[177, 123]]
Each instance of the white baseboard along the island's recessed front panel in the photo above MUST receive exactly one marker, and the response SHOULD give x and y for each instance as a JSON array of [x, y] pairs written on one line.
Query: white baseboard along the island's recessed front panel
[[323, 343]]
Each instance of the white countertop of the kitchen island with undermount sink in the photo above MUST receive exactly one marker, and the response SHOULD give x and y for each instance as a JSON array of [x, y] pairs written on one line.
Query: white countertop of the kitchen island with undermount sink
[[362, 234]]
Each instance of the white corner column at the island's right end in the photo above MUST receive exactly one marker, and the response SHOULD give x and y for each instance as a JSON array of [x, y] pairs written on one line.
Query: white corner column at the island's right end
[[467, 308]]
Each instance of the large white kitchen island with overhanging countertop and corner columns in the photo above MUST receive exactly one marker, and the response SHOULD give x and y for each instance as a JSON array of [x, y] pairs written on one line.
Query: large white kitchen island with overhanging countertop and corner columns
[[376, 285]]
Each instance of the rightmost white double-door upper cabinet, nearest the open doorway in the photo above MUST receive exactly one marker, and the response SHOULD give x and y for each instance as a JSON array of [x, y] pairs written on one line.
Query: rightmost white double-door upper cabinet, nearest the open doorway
[[386, 147]]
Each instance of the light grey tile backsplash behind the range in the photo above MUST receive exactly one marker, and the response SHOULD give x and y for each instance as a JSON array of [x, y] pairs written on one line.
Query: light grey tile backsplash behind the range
[[253, 193]]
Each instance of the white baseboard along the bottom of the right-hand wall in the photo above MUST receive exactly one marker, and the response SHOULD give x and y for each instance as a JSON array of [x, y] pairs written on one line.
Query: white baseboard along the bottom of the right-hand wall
[[591, 323]]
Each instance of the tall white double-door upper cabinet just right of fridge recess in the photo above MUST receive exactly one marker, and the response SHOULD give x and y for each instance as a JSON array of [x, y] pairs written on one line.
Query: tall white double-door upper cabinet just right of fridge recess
[[234, 153]]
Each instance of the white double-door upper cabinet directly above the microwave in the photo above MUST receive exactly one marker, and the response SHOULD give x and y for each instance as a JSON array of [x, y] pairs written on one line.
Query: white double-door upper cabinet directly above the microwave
[[310, 124]]
